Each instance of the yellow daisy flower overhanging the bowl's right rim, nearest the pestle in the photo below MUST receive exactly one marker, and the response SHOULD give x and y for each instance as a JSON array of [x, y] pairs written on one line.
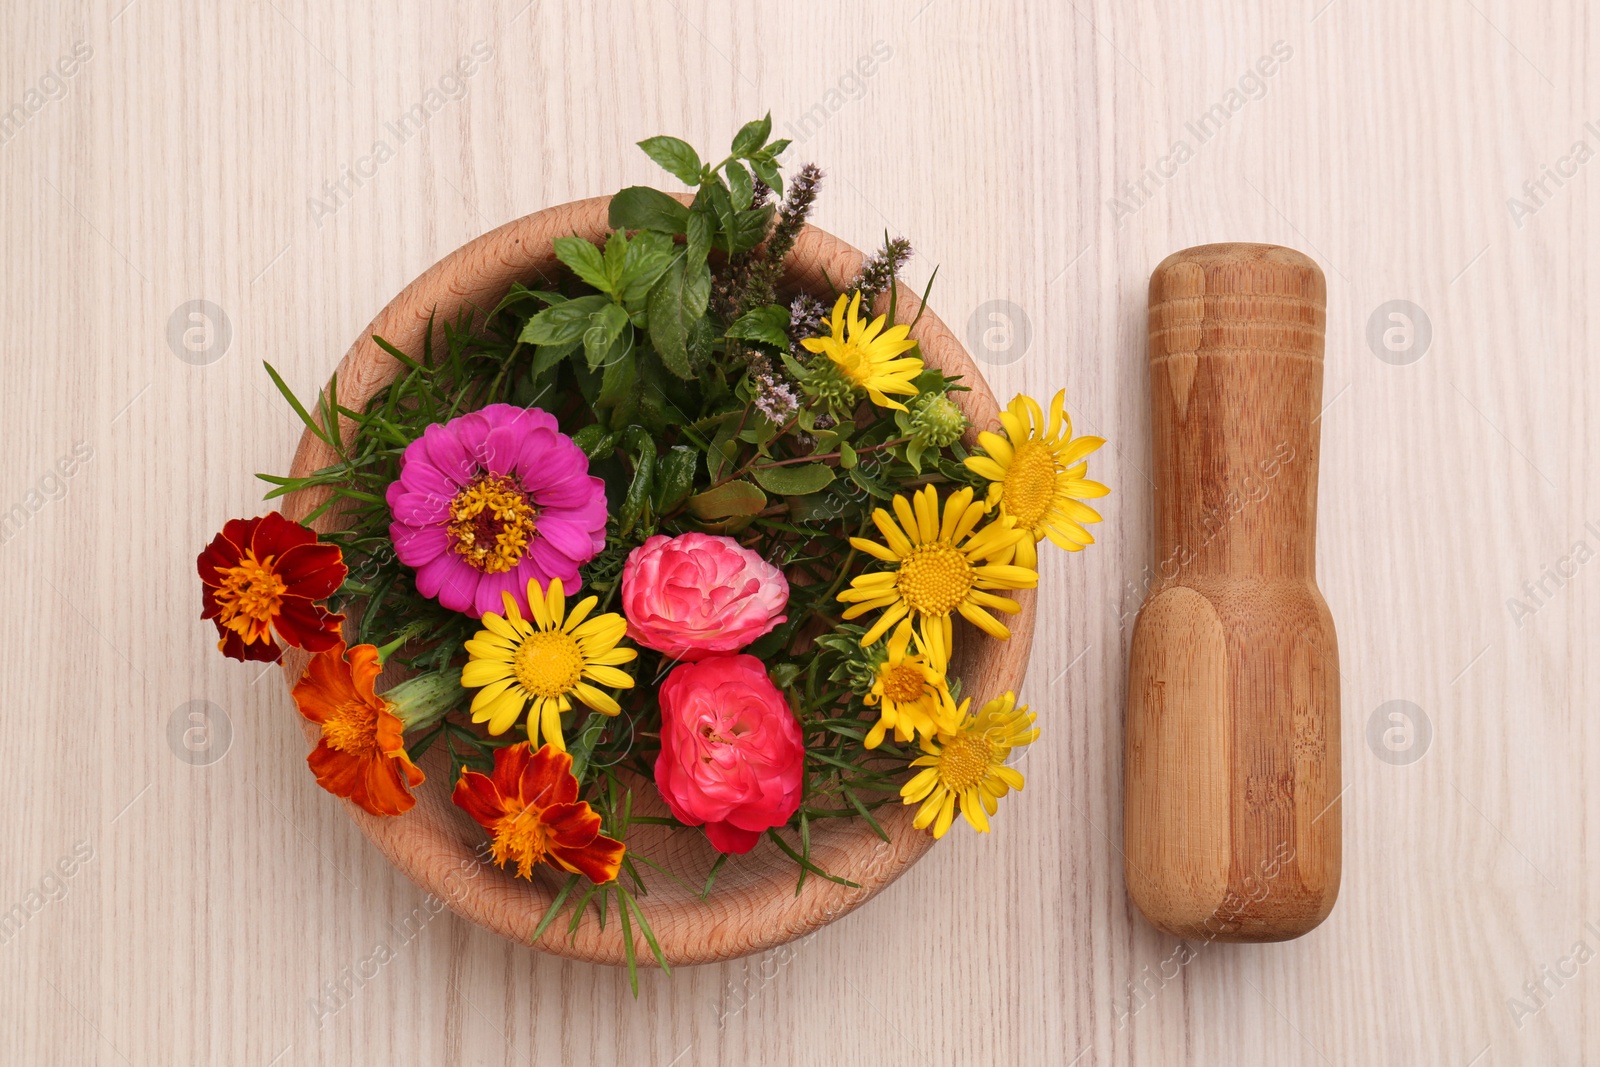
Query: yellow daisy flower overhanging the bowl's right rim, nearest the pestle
[[1036, 473]]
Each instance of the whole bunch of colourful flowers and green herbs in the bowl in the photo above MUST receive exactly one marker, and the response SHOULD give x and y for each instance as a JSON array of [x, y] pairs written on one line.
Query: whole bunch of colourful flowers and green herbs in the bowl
[[662, 524]]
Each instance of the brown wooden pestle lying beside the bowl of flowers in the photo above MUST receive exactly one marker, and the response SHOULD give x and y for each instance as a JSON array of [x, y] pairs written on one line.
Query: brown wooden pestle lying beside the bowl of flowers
[[1233, 738]]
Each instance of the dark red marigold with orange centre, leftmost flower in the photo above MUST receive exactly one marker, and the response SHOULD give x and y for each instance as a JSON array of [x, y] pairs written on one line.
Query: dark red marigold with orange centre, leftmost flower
[[263, 577]]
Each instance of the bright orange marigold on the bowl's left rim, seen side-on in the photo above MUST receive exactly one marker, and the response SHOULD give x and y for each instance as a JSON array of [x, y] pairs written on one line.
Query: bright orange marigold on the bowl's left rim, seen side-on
[[362, 751]]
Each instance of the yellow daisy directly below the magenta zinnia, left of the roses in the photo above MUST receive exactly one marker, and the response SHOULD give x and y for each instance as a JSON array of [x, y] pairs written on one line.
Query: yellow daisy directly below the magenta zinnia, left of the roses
[[545, 661]]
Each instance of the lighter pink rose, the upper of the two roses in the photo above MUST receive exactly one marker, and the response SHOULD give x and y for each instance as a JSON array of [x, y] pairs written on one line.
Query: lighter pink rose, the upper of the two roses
[[697, 596]]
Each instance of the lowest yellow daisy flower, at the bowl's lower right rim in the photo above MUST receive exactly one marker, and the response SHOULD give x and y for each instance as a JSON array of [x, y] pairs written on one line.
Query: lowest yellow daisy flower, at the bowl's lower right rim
[[967, 769]]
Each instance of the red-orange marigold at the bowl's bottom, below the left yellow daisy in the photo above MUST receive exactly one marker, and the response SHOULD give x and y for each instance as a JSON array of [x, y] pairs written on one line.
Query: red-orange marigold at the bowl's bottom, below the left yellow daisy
[[530, 805]]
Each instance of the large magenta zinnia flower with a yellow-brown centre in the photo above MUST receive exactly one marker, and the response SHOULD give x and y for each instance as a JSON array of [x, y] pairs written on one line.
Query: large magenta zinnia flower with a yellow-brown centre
[[490, 500]]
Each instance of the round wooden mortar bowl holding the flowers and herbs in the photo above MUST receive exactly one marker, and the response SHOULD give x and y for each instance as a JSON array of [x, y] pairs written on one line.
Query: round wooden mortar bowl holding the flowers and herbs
[[753, 906]]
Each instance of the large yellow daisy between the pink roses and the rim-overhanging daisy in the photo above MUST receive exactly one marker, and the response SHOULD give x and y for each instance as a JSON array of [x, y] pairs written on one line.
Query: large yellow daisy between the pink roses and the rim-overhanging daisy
[[940, 567]]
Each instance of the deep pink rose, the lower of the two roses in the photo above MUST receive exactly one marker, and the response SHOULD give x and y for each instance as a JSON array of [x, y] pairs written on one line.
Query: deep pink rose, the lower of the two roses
[[732, 756]]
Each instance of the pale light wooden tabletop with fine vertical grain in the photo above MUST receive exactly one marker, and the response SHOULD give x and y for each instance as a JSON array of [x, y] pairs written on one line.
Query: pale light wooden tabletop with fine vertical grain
[[191, 153]]
